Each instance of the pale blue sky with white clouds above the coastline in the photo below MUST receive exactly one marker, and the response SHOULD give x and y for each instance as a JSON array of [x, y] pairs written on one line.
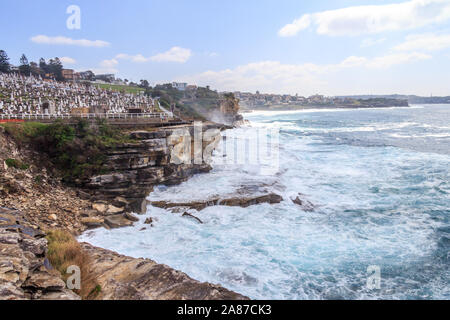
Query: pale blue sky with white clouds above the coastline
[[335, 47]]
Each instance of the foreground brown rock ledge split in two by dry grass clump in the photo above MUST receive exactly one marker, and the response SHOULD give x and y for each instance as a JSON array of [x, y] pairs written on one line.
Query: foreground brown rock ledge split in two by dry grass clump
[[27, 274]]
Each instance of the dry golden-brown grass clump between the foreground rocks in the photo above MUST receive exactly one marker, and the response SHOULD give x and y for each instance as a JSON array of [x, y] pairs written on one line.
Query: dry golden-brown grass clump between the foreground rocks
[[65, 251]]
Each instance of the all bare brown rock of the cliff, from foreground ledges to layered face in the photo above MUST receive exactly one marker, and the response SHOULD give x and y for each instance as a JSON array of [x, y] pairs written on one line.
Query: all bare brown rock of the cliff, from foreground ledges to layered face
[[106, 200]]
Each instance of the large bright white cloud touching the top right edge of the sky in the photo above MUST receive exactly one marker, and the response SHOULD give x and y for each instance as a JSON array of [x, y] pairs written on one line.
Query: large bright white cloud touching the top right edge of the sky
[[372, 19]]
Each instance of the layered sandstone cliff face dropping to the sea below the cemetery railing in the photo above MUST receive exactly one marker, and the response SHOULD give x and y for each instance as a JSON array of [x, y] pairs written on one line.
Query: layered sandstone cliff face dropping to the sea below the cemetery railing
[[160, 157]]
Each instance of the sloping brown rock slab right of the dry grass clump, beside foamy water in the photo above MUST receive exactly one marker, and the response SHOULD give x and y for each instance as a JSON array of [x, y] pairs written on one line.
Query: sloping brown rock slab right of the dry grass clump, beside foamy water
[[125, 278]]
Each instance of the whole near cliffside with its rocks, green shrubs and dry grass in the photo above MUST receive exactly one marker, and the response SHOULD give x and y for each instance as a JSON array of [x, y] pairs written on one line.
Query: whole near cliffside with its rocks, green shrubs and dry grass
[[57, 181]]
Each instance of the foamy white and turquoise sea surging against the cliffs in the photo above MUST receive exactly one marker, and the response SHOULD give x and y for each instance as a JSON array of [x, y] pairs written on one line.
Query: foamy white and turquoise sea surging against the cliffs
[[380, 179]]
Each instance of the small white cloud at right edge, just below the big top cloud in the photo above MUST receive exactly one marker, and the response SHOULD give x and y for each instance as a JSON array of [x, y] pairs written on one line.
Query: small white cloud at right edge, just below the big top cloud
[[426, 42]]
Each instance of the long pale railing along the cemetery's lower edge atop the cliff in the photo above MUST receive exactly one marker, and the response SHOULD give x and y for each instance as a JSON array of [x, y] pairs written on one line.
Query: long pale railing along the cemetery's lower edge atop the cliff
[[162, 116]]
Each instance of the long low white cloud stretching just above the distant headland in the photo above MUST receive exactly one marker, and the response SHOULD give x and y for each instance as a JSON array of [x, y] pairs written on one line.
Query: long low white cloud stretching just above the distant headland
[[276, 77]]
